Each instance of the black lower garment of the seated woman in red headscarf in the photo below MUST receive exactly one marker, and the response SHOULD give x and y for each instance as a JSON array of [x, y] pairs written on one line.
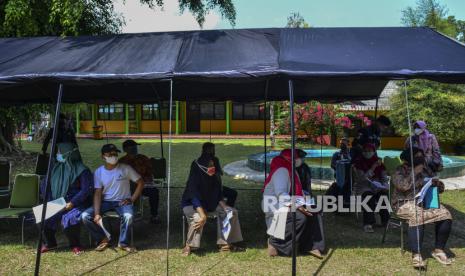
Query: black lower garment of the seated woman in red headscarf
[[308, 233]]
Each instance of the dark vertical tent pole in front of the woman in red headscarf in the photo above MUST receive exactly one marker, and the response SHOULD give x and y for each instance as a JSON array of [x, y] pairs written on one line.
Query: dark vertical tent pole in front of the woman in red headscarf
[[293, 207]]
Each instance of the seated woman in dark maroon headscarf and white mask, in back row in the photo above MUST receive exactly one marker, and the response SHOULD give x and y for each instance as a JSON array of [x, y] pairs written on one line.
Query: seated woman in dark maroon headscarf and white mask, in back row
[[368, 169]]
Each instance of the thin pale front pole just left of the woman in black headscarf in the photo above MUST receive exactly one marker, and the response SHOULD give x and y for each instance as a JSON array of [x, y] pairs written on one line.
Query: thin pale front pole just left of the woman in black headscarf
[[169, 181]]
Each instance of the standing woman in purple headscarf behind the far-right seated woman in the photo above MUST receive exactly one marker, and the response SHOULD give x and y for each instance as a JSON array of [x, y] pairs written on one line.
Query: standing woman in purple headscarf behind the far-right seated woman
[[427, 142]]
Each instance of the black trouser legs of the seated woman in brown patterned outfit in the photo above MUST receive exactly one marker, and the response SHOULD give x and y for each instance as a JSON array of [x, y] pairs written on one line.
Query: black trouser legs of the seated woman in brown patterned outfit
[[442, 229]]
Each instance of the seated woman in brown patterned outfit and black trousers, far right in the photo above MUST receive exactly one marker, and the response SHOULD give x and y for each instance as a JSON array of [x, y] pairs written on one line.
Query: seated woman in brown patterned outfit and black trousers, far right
[[404, 205]]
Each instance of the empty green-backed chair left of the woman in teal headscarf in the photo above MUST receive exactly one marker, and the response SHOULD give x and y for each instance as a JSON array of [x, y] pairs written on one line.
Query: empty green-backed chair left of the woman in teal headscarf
[[24, 196]]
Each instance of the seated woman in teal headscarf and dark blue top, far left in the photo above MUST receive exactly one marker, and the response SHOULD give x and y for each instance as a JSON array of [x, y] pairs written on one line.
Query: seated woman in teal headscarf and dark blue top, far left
[[73, 181]]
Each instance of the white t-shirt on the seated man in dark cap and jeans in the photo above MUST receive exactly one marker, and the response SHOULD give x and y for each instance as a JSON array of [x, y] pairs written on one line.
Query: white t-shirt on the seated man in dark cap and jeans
[[116, 182]]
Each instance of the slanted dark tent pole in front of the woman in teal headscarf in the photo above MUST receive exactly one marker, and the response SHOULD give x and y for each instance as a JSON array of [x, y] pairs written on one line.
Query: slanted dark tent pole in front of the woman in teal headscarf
[[47, 177]]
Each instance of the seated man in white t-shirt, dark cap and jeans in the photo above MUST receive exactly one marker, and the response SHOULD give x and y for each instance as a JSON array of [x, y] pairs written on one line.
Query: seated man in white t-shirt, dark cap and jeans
[[113, 192]]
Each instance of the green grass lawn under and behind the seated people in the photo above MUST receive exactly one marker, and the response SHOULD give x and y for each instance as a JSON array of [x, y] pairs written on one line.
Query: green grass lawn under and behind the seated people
[[350, 250]]
